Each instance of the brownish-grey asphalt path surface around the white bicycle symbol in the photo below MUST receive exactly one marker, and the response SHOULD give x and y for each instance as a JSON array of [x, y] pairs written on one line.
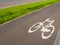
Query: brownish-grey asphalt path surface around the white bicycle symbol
[[16, 32]]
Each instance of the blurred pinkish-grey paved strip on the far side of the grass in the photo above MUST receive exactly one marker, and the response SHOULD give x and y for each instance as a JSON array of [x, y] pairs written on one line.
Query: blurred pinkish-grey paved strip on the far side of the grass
[[9, 3]]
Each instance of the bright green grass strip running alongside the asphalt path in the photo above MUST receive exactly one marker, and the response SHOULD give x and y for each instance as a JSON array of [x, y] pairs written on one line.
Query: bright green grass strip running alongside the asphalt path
[[10, 13]]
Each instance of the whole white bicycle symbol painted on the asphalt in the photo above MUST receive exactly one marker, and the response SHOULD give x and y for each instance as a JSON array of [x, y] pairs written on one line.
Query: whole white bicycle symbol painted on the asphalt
[[44, 29]]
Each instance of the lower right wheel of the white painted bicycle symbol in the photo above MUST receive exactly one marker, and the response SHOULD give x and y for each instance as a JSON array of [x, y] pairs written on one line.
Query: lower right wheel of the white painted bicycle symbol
[[46, 31]]
